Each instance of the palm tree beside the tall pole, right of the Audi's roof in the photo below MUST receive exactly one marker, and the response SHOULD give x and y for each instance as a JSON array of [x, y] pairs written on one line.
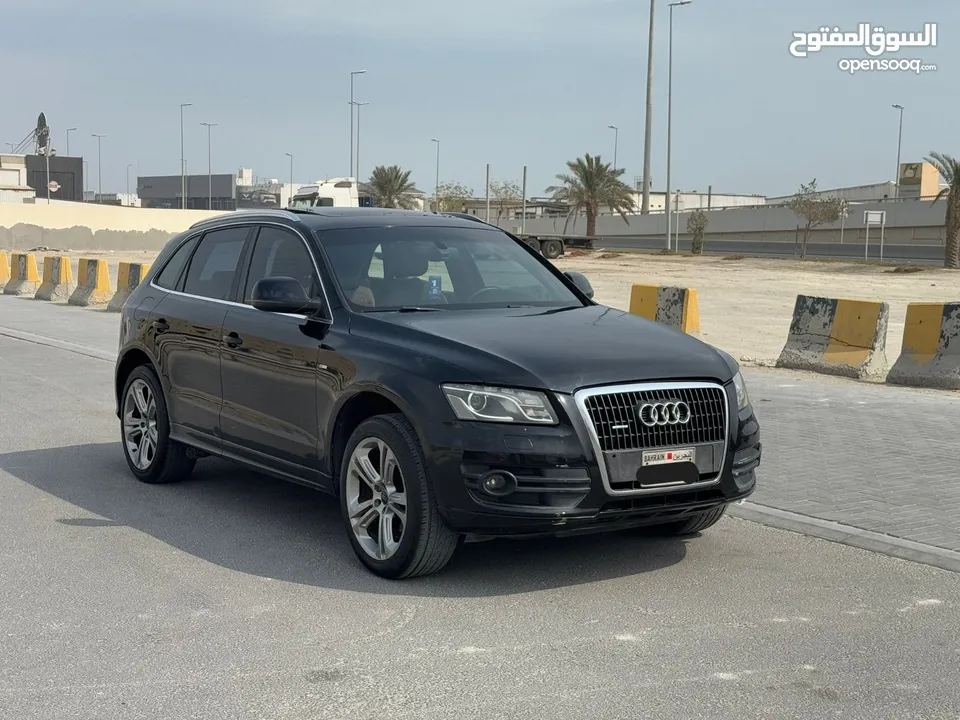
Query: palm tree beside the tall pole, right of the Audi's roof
[[590, 184]]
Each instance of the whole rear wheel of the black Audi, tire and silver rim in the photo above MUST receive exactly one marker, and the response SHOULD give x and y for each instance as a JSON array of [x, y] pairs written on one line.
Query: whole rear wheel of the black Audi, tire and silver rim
[[152, 456]]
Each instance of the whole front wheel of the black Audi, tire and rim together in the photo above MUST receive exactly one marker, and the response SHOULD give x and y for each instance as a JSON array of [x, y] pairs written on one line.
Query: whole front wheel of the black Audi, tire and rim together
[[425, 544]]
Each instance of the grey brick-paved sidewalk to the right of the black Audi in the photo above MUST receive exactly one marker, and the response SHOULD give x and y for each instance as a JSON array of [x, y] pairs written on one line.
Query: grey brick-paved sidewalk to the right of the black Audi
[[874, 457]]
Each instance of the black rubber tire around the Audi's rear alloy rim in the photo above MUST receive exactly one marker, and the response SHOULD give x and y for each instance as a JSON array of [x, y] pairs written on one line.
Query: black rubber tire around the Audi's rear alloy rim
[[169, 461]]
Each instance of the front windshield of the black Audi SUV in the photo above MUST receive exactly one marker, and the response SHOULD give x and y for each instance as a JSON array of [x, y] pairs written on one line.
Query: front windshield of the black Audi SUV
[[439, 268]]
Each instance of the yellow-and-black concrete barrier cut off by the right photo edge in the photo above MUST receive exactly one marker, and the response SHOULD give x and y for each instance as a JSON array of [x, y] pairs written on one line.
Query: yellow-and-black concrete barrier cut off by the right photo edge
[[930, 354]]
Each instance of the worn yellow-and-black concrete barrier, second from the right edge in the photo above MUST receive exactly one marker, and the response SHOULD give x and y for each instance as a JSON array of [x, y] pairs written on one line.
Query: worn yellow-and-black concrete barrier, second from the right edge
[[837, 337]]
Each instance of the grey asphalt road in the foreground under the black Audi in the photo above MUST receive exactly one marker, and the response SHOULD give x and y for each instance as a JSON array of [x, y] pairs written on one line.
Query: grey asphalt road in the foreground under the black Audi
[[236, 596]]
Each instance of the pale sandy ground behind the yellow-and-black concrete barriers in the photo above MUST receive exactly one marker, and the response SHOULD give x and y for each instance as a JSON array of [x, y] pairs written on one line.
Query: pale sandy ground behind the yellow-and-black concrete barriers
[[745, 305]]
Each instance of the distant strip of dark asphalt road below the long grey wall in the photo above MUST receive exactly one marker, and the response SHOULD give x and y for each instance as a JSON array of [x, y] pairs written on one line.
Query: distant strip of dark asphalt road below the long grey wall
[[906, 254]]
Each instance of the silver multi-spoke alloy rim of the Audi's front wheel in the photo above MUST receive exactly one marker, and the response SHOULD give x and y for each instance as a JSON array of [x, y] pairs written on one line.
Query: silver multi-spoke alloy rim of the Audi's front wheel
[[376, 498]]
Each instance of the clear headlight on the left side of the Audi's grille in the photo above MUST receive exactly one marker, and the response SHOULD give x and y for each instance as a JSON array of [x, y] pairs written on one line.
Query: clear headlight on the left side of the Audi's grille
[[491, 404]]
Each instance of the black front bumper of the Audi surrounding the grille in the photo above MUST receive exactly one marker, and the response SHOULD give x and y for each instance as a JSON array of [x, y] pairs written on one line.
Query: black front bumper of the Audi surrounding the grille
[[561, 487]]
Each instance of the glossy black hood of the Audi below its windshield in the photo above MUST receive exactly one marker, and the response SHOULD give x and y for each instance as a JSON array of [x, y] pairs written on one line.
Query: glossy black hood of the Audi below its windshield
[[554, 349]]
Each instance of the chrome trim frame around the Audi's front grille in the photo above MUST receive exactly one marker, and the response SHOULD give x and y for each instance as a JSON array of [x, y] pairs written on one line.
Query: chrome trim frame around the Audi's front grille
[[580, 398]]
